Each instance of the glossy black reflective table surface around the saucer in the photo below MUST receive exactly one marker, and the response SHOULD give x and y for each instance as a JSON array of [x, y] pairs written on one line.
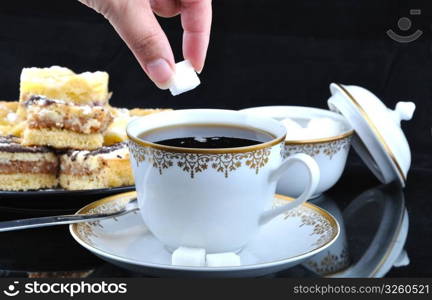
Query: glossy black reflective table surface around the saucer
[[372, 215]]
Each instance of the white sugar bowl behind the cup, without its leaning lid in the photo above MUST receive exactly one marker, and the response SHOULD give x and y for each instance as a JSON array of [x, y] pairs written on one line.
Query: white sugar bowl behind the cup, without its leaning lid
[[330, 152]]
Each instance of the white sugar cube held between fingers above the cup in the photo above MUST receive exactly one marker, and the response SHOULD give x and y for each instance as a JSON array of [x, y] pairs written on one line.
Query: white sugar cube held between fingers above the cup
[[184, 79]]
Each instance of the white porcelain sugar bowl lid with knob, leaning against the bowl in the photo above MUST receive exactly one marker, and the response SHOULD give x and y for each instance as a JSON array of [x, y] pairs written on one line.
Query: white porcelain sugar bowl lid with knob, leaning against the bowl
[[379, 140]]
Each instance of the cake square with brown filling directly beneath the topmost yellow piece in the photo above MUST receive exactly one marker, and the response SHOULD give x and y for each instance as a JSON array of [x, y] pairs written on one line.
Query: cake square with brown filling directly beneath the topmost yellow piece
[[62, 124]]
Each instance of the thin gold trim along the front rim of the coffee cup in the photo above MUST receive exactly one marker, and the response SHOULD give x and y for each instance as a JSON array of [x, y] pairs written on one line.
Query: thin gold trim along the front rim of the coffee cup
[[245, 149]]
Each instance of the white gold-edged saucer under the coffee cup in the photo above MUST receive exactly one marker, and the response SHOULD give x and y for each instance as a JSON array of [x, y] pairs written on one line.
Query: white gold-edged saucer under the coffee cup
[[286, 241]]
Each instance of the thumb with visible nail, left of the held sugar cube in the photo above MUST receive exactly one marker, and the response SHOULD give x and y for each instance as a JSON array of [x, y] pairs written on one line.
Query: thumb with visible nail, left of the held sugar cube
[[136, 24]]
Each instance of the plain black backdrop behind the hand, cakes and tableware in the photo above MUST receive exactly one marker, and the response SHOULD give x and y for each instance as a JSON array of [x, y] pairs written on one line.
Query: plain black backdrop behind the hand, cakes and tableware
[[262, 52]]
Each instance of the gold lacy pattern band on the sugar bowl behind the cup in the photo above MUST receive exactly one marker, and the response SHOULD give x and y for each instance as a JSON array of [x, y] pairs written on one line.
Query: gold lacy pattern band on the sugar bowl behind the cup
[[327, 148]]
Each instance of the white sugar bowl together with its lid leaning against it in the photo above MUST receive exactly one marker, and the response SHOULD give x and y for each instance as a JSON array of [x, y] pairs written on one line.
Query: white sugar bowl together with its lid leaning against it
[[378, 139]]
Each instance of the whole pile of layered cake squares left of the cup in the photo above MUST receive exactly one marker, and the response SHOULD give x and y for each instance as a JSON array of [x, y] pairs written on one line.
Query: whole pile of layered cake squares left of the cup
[[63, 133]]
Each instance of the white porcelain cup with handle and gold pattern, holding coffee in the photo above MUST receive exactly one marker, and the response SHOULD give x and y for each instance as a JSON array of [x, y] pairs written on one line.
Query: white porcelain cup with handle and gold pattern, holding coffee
[[210, 198]]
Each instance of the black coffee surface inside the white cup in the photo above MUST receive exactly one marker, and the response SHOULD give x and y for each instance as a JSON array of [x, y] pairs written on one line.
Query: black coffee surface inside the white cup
[[207, 136]]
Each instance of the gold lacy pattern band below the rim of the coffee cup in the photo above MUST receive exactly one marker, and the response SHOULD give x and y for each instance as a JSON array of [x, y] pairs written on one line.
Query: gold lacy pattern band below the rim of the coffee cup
[[194, 163]]
